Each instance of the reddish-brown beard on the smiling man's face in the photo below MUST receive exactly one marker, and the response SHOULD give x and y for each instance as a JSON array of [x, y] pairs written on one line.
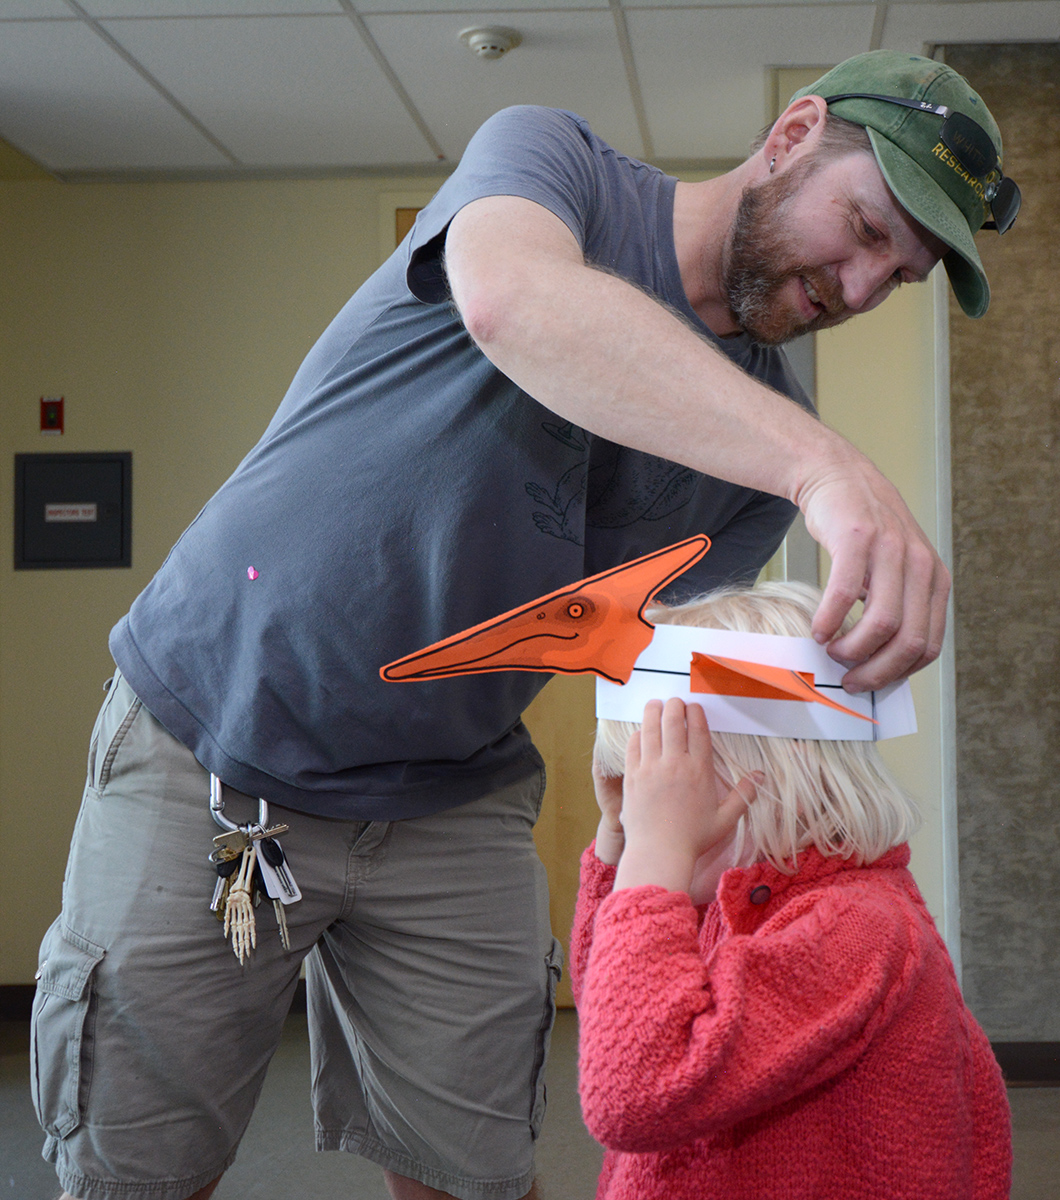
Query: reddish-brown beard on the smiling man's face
[[758, 265]]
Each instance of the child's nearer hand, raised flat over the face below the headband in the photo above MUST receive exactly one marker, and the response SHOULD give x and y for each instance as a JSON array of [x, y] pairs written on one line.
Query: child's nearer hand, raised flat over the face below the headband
[[674, 807]]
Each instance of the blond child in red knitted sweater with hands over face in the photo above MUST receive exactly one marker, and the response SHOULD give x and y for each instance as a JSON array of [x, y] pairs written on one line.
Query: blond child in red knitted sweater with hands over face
[[766, 1009]]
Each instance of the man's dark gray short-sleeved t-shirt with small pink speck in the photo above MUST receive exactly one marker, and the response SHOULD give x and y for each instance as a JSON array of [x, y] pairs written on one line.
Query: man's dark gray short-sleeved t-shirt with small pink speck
[[406, 490]]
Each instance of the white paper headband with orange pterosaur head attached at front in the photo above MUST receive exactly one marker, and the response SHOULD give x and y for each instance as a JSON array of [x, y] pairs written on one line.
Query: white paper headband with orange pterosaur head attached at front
[[747, 683]]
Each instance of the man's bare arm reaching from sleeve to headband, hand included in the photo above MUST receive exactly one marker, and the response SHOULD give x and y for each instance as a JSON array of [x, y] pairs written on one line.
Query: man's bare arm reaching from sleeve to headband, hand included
[[601, 353]]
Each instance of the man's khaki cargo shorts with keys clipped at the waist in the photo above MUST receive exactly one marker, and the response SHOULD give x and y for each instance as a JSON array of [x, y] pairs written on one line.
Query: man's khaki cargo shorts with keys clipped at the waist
[[432, 974]]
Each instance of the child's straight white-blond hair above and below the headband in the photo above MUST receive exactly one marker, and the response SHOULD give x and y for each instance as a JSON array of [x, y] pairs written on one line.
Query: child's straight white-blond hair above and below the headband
[[837, 796]]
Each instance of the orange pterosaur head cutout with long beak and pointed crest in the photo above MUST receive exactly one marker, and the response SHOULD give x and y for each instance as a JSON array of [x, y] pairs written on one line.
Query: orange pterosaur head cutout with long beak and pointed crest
[[596, 626]]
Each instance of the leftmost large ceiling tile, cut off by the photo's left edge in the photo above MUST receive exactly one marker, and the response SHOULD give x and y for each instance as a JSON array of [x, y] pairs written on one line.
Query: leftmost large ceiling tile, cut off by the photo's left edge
[[70, 103]]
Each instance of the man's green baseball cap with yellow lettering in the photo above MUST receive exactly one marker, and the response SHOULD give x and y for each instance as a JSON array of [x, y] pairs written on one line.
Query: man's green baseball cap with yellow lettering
[[925, 177]]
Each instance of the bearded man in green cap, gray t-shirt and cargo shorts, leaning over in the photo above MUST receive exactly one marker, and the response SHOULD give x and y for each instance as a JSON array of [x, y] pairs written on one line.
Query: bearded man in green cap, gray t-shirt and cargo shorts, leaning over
[[570, 363]]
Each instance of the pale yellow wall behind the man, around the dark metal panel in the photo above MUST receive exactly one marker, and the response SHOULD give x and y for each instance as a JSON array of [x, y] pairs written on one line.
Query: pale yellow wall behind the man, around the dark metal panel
[[171, 317]]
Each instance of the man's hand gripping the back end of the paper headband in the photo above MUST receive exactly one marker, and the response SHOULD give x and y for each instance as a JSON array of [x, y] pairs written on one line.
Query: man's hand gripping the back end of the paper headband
[[882, 556]]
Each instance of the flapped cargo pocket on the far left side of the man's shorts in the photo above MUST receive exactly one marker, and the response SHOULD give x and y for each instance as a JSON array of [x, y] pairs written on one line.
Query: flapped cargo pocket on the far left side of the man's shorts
[[59, 1071]]
